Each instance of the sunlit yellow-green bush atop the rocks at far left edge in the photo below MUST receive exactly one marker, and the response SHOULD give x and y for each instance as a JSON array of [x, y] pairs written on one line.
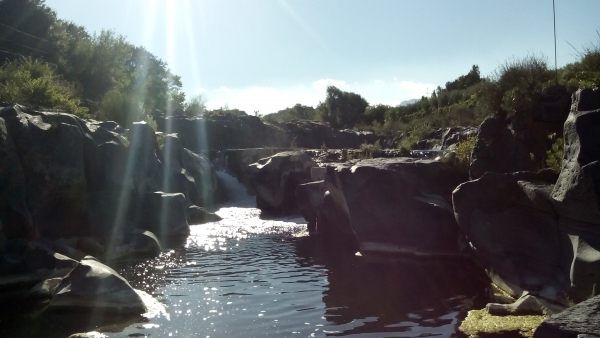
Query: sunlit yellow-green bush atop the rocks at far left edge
[[34, 82]]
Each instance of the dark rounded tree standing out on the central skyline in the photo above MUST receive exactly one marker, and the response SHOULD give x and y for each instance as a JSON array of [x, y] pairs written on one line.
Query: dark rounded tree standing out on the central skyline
[[342, 109]]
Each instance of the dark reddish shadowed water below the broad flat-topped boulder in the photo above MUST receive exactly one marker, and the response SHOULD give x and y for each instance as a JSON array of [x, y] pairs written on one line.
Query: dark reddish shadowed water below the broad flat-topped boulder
[[393, 294]]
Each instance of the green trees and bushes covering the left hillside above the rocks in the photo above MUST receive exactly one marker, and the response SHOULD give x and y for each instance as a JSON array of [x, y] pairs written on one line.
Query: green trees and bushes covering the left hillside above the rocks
[[57, 64]]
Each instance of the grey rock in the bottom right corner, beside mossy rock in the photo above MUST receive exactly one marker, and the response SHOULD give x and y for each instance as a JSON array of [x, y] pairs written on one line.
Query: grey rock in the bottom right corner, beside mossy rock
[[581, 320]]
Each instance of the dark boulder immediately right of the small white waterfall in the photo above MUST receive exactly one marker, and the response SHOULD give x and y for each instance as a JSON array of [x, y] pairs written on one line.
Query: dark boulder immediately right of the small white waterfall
[[275, 179]]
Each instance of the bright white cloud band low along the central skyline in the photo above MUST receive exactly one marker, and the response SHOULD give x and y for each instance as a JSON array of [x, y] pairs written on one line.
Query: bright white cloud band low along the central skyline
[[269, 100]]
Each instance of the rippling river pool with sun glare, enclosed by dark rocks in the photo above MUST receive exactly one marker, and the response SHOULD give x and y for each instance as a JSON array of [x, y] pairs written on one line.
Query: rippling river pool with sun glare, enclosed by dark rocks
[[248, 276]]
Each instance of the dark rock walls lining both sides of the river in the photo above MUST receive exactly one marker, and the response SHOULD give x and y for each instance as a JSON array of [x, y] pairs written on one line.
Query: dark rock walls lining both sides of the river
[[78, 196]]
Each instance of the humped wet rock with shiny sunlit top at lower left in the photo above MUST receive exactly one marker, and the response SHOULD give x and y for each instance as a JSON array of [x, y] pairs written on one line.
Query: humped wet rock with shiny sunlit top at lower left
[[94, 286]]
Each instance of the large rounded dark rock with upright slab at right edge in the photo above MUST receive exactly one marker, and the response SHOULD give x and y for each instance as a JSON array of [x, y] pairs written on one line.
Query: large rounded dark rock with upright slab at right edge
[[533, 235]]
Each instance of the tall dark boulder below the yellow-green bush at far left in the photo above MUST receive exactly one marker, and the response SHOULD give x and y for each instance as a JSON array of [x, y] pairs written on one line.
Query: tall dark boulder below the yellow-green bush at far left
[[51, 155]]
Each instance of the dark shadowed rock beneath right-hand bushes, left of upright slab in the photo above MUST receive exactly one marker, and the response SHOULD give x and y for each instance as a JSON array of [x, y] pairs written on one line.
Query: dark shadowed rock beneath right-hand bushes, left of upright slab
[[518, 142]]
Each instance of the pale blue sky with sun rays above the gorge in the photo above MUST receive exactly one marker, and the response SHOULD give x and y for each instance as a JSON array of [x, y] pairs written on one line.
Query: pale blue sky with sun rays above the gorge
[[267, 55]]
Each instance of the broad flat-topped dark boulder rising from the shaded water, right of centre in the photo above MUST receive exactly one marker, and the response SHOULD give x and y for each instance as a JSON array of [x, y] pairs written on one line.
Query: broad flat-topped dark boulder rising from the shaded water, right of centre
[[393, 205]]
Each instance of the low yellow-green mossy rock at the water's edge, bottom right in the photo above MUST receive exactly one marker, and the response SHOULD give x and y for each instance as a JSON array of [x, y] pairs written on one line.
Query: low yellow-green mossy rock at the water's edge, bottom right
[[480, 324]]
